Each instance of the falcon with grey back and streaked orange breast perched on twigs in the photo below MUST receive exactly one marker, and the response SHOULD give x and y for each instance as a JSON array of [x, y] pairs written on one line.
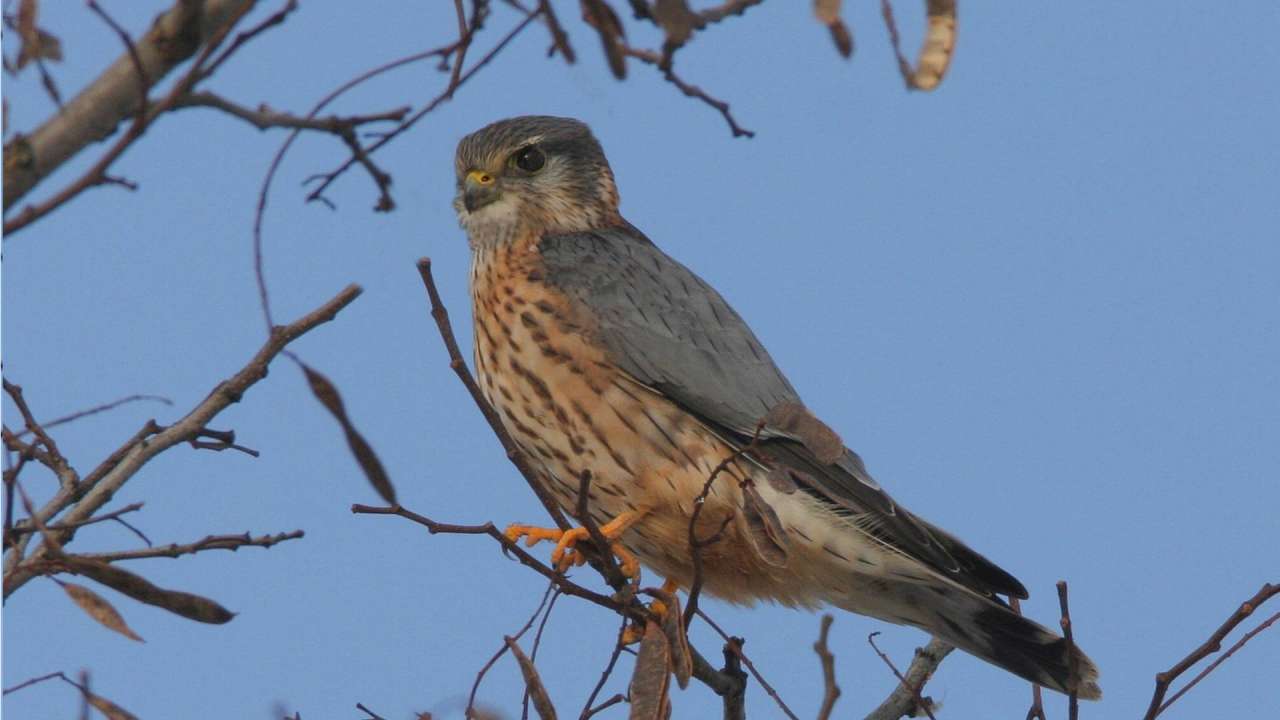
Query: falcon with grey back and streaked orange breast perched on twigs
[[602, 354]]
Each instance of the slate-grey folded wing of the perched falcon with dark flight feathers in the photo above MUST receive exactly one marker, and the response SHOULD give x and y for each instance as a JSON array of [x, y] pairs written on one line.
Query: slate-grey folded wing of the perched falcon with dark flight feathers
[[674, 334]]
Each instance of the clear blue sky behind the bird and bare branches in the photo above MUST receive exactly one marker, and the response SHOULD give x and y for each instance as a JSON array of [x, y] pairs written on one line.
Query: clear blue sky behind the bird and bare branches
[[1043, 303]]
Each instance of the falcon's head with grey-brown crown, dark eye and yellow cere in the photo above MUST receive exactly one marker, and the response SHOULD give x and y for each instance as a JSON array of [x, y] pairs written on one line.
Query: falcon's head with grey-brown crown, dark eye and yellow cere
[[543, 174]]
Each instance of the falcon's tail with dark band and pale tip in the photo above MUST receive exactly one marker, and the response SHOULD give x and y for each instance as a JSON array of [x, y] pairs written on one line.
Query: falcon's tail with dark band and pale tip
[[990, 631]]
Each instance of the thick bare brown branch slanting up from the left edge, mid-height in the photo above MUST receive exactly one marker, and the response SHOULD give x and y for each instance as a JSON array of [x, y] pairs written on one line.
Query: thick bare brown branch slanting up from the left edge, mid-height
[[88, 498]]
